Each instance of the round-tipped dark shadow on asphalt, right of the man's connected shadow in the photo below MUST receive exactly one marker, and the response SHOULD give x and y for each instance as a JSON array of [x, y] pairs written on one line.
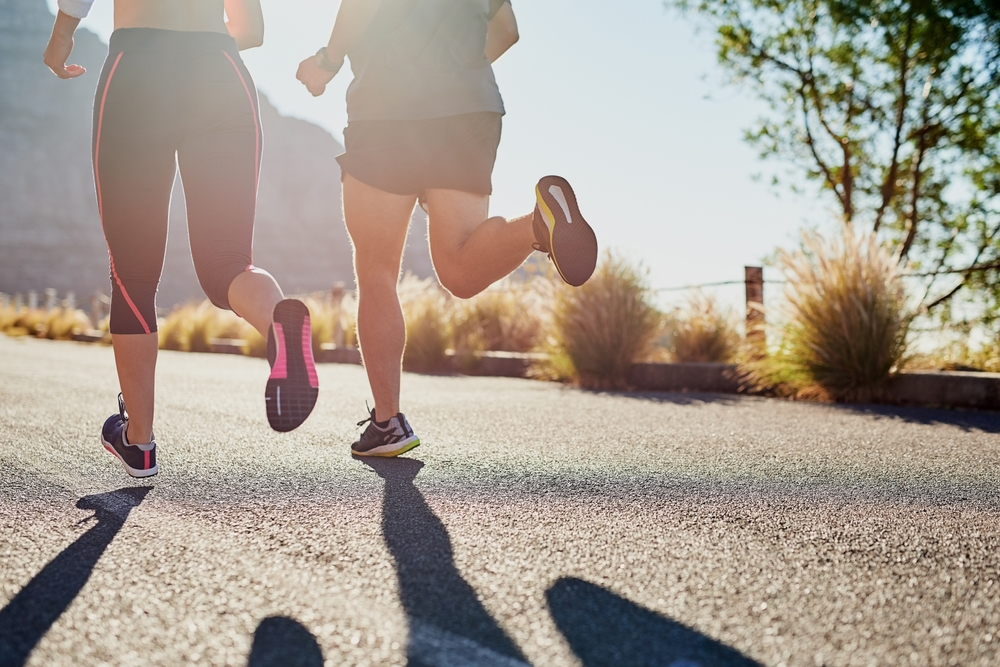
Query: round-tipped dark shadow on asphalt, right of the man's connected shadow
[[603, 628]]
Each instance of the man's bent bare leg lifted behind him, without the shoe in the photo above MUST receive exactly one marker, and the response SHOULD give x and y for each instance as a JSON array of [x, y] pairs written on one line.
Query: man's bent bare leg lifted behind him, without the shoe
[[470, 250]]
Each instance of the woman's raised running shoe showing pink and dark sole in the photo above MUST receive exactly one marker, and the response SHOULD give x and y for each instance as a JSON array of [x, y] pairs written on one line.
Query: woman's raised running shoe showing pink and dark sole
[[293, 385]]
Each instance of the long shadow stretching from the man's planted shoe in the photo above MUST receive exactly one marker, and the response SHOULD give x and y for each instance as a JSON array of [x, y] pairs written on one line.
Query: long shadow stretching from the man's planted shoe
[[448, 623]]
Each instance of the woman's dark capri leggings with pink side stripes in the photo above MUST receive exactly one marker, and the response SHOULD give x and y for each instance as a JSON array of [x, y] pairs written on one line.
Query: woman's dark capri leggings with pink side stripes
[[167, 98]]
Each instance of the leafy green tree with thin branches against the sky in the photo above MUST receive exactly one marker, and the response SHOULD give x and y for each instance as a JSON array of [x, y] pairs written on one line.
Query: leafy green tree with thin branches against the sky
[[893, 108]]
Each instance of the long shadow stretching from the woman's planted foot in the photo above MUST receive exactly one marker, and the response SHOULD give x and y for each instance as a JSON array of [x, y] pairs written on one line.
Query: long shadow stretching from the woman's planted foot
[[26, 619]]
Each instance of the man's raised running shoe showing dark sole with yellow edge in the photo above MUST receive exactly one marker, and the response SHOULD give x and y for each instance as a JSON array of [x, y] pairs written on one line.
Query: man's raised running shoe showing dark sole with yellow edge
[[562, 233]]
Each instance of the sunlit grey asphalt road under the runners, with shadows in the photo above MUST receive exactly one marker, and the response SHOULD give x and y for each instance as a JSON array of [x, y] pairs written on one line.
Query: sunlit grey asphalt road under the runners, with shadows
[[536, 524]]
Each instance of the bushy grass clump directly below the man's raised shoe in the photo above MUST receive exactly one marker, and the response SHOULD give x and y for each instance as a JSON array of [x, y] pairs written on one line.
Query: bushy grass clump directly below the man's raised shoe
[[600, 329]]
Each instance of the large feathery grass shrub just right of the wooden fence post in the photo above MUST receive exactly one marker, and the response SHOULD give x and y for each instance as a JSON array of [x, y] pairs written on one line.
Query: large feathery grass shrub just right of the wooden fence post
[[844, 330]]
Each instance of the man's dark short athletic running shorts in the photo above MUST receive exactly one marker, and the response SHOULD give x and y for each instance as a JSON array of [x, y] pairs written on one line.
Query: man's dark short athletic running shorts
[[407, 157]]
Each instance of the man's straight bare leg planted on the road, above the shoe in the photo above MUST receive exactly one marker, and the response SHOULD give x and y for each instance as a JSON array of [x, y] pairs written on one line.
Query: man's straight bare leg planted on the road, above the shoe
[[377, 222]]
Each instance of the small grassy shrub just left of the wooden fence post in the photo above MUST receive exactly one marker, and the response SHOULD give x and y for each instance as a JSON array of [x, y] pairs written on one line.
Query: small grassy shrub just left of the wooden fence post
[[702, 331]]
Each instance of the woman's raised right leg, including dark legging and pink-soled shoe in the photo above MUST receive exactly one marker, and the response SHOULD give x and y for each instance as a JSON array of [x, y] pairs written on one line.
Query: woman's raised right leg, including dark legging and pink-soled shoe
[[220, 161]]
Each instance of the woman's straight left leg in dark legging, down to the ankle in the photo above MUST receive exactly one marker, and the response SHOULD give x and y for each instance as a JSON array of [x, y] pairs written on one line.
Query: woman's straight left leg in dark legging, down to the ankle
[[134, 167]]
